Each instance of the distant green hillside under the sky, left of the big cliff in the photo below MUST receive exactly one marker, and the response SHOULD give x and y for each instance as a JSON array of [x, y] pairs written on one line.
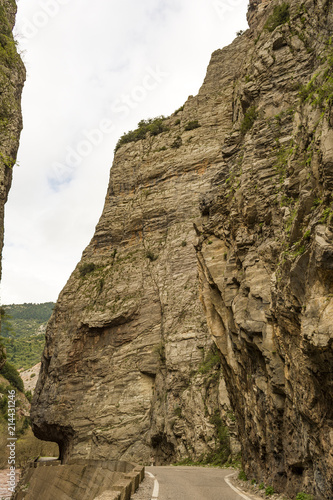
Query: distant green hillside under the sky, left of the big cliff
[[23, 328]]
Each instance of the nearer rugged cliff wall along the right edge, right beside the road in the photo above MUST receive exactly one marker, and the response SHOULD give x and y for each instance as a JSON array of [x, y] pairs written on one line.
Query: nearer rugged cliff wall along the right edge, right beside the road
[[266, 253]]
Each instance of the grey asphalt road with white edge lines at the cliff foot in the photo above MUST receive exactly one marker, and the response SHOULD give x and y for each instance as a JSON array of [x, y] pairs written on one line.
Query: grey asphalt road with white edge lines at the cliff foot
[[192, 483]]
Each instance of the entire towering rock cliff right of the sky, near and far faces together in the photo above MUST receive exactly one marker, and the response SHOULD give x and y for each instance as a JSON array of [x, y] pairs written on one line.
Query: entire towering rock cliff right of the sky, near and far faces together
[[219, 216]]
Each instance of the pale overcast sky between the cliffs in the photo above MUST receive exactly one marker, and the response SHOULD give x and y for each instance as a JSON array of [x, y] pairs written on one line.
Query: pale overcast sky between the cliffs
[[94, 69]]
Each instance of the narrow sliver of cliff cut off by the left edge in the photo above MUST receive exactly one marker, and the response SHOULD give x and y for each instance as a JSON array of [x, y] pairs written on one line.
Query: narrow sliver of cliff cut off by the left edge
[[12, 76]]
